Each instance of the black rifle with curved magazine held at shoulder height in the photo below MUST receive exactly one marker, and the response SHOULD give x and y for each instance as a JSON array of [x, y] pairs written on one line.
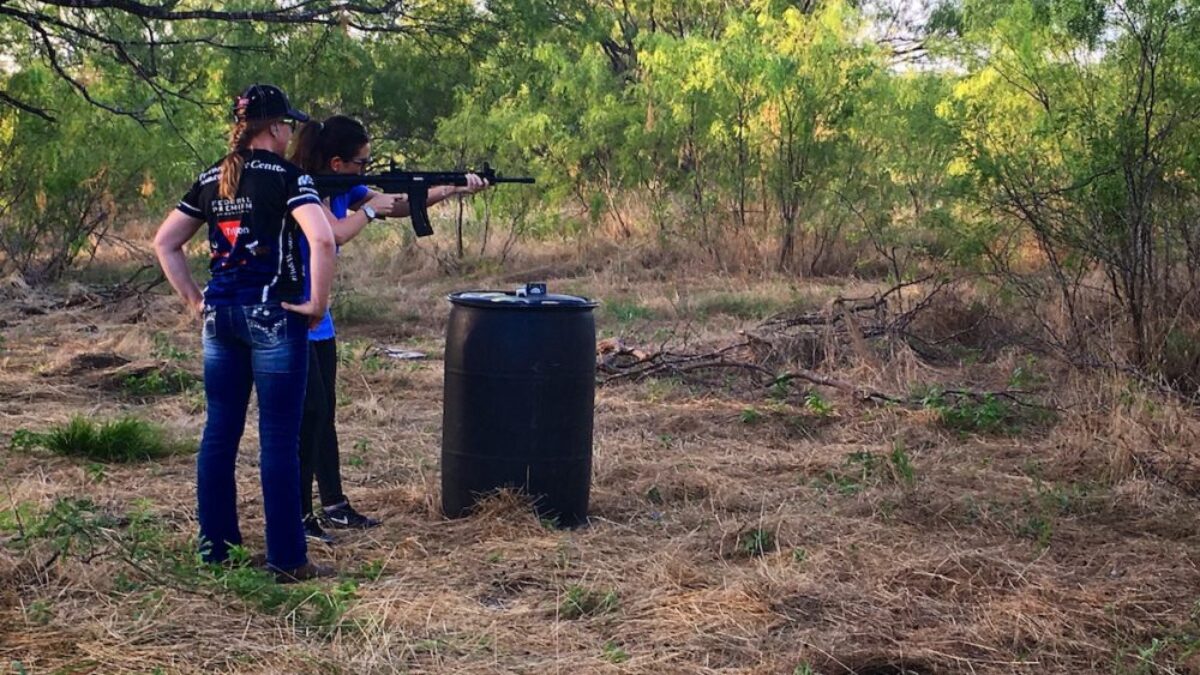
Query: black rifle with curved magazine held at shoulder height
[[413, 183]]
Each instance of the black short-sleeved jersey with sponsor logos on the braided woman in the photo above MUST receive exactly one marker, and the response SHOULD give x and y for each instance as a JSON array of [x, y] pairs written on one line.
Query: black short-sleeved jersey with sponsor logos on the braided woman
[[254, 240]]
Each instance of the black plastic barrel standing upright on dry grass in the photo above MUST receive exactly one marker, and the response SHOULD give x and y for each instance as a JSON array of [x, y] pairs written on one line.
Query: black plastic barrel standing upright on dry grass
[[520, 391]]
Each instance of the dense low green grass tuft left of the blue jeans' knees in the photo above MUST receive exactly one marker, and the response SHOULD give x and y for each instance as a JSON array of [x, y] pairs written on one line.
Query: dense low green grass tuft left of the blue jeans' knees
[[125, 440]]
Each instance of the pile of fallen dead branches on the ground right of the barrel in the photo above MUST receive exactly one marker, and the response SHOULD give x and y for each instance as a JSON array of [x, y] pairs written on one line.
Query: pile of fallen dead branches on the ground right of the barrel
[[859, 334]]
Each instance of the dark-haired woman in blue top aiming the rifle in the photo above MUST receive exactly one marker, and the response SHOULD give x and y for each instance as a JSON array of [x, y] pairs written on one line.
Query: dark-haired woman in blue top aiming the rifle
[[340, 146]]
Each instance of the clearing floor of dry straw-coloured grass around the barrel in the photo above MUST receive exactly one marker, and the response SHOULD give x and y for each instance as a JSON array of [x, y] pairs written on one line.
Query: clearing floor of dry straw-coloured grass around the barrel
[[733, 530]]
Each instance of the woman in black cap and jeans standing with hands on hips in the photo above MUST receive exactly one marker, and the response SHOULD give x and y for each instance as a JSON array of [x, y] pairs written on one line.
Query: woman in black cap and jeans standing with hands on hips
[[256, 316]]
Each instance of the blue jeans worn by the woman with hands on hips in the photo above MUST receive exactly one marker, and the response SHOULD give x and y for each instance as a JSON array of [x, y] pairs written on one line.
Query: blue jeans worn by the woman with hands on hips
[[265, 347]]
